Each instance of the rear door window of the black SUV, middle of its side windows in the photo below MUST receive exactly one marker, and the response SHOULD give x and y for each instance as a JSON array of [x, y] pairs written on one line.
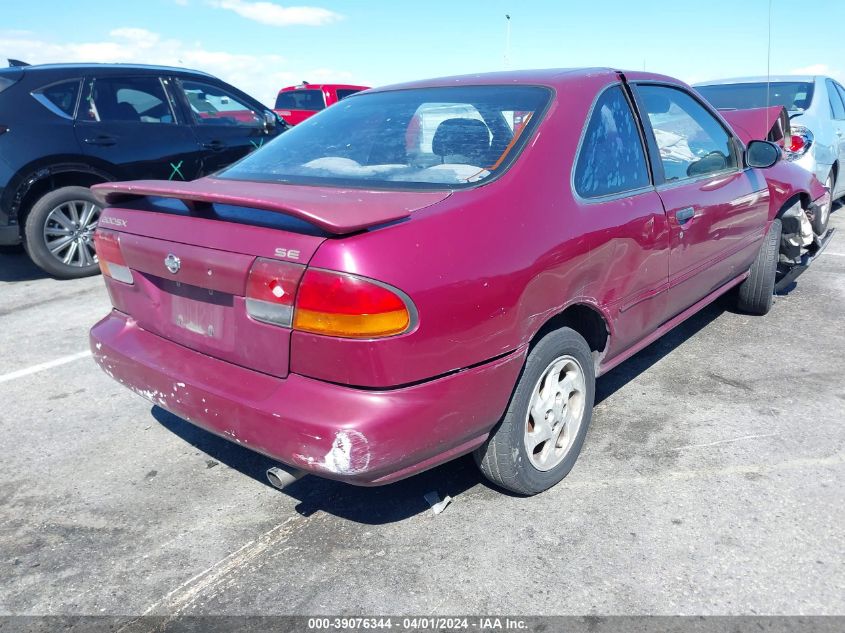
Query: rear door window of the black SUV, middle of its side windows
[[126, 99]]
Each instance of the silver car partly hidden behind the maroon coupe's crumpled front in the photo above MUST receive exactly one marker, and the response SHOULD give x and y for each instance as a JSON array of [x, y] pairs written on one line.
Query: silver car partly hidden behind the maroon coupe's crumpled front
[[816, 107]]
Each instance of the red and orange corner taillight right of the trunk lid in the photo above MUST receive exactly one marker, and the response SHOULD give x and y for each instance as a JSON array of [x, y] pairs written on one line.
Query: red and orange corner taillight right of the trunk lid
[[340, 304]]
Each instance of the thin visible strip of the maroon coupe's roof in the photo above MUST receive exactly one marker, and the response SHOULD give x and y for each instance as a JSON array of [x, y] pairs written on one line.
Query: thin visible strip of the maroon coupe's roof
[[553, 77]]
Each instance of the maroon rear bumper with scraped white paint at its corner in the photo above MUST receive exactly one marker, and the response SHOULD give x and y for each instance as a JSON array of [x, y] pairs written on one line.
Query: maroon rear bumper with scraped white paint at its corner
[[364, 437]]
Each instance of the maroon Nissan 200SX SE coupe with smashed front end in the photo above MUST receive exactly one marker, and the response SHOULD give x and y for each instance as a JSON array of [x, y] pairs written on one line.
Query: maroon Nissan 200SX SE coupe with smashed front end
[[443, 267]]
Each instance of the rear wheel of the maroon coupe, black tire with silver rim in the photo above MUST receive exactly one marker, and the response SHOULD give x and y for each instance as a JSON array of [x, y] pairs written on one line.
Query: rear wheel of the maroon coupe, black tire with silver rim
[[505, 458]]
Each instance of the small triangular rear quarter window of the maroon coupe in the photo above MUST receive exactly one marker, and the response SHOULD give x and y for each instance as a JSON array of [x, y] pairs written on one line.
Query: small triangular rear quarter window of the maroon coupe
[[611, 159]]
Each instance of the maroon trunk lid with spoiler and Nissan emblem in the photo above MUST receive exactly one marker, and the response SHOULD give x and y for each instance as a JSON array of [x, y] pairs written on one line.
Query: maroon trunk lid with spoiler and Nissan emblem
[[216, 230]]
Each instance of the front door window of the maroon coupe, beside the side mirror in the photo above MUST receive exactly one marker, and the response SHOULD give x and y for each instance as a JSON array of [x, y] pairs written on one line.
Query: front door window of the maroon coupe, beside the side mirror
[[691, 141]]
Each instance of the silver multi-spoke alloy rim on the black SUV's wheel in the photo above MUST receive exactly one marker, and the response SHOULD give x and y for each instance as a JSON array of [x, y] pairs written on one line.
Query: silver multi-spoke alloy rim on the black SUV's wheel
[[69, 233]]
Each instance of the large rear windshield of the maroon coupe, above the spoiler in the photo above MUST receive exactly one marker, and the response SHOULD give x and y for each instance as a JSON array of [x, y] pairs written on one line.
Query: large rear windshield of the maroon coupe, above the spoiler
[[420, 138]]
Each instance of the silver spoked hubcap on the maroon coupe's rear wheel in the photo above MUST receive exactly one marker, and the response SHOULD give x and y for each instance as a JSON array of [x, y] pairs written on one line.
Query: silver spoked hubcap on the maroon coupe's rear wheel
[[555, 413]]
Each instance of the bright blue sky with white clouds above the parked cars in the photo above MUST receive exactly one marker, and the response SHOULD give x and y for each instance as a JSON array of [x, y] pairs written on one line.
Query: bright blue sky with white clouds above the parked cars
[[261, 46]]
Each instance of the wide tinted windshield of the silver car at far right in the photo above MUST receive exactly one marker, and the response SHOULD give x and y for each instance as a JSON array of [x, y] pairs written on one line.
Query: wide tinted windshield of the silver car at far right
[[795, 96]]
